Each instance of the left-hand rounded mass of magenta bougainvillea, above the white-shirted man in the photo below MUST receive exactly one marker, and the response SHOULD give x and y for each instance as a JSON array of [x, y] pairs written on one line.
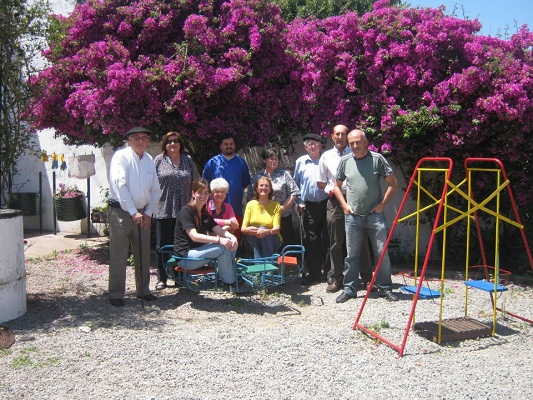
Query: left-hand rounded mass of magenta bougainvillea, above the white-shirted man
[[204, 68]]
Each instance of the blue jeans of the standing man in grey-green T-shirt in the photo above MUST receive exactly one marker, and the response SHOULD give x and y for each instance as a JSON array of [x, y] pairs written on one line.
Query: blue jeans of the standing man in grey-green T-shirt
[[375, 225]]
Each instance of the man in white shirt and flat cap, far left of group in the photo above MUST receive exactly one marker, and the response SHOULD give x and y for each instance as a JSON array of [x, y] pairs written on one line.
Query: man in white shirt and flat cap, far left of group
[[133, 195]]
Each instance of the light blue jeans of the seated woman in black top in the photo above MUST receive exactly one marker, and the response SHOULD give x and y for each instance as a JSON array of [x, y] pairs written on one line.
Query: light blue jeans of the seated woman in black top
[[225, 260]]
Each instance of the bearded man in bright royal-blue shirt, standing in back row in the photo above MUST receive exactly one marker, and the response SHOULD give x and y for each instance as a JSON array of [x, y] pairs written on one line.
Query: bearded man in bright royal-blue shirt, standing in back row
[[232, 168]]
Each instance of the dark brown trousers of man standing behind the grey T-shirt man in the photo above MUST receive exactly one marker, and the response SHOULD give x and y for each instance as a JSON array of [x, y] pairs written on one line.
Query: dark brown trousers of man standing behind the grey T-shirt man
[[337, 244]]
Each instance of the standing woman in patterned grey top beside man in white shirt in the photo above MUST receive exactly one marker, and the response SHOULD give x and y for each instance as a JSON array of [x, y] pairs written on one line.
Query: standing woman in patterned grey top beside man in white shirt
[[176, 173]]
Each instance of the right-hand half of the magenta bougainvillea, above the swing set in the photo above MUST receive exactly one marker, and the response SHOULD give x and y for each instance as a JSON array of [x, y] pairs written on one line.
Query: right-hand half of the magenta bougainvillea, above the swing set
[[421, 84]]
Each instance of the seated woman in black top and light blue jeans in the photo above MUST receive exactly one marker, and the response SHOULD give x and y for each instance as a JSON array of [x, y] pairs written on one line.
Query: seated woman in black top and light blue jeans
[[192, 239]]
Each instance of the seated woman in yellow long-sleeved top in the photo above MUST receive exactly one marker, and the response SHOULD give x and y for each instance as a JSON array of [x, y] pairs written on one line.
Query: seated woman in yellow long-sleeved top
[[261, 223]]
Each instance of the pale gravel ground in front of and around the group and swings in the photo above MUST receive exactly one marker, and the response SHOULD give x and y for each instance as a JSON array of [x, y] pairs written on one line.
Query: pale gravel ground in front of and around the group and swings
[[291, 343]]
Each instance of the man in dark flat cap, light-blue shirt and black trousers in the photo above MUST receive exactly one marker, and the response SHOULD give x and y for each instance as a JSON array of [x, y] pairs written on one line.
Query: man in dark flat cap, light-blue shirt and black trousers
[[312, 204]]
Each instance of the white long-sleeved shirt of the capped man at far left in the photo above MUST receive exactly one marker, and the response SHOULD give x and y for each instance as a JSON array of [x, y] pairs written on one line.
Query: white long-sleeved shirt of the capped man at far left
[[133, 181]]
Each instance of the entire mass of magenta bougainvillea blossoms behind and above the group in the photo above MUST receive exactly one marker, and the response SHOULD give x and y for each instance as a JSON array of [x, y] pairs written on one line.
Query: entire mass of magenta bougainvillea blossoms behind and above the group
[[421, 83]]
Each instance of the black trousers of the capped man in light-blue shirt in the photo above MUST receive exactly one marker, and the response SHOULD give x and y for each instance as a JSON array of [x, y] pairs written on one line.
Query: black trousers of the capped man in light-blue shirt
[[316, 238]]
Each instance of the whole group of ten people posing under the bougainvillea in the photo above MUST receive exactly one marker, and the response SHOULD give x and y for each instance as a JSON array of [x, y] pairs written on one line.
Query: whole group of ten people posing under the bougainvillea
[[338, 194]]
